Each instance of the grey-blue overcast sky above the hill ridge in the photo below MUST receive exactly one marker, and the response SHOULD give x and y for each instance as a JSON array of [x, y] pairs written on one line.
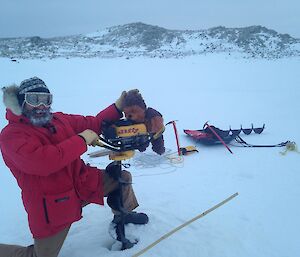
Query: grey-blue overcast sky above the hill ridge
[[48, 18]]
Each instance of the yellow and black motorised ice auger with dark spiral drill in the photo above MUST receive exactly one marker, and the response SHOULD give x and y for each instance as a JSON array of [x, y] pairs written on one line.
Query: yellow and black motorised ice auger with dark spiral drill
[[121, 139]]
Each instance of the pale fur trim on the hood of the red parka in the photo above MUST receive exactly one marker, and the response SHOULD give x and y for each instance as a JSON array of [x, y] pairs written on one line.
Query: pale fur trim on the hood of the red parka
[[10, 99]]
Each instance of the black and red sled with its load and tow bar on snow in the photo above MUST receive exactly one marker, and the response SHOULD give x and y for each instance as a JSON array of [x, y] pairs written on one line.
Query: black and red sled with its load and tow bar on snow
[[211, 135]]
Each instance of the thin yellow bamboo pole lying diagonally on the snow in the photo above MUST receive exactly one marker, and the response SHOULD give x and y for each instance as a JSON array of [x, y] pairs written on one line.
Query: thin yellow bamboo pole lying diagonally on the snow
[[184, 225]]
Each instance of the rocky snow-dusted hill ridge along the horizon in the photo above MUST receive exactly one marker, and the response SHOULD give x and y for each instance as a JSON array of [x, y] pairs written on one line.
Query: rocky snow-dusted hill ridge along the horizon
[[139, 39]]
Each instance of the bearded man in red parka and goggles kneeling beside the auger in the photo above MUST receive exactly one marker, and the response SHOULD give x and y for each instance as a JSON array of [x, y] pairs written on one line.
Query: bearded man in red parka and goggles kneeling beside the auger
[[42, 149]]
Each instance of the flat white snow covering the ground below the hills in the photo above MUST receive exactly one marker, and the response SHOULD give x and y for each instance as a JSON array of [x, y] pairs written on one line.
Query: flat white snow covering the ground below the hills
[[262, 221]]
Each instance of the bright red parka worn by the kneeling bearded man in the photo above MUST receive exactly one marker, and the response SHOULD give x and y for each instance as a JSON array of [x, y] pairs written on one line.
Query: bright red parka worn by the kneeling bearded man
[[47, 166]]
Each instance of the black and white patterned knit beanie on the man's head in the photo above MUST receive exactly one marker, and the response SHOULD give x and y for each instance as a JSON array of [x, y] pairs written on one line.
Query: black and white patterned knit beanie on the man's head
[[34, 84]]
